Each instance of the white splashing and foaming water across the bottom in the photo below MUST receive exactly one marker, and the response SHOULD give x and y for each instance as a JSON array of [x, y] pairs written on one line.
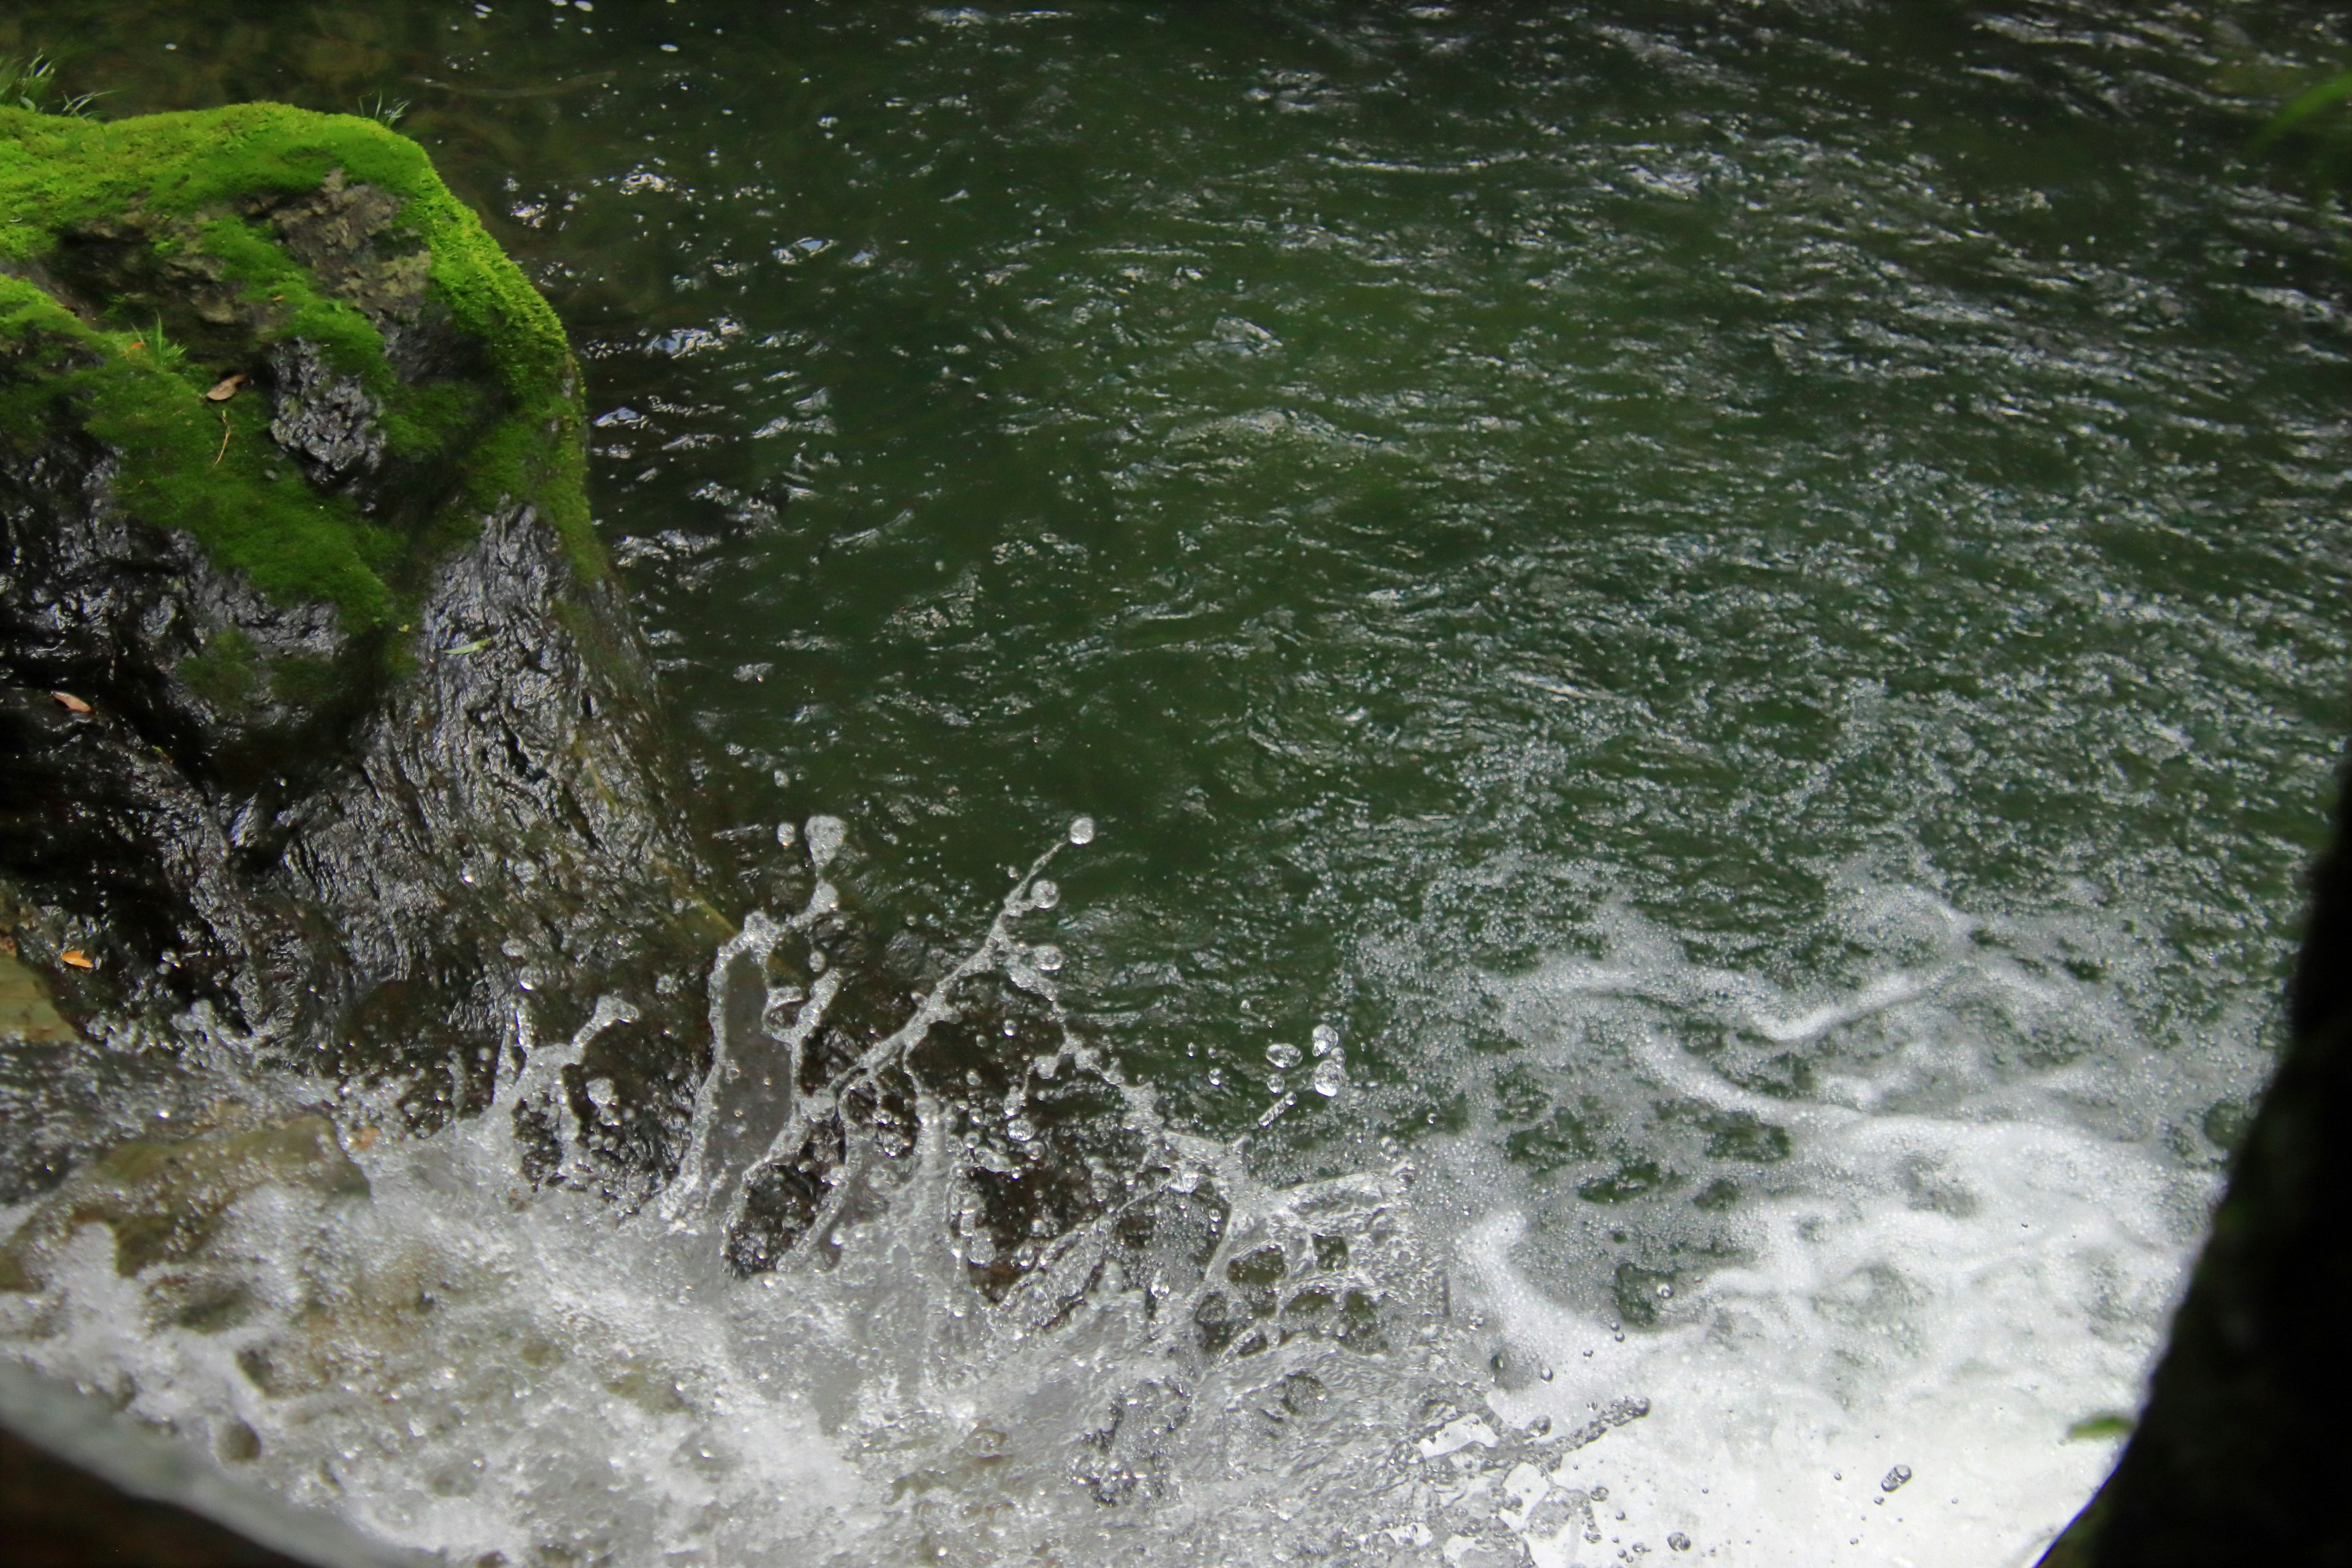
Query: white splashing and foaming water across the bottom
[[1880, 1358]]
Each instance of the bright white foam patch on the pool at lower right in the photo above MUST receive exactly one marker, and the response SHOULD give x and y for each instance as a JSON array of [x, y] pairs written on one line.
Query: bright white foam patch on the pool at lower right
[[1951, 1275]]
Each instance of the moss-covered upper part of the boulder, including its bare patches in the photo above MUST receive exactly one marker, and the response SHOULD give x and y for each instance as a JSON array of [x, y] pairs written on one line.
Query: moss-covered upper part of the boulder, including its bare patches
[[401, 377]]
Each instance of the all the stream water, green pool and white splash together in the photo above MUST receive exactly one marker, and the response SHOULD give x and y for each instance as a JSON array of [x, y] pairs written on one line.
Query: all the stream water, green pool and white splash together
[[1699, 645]]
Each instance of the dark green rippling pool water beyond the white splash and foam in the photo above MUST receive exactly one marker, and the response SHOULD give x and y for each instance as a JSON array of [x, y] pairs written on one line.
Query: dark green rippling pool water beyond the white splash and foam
[[1763, 502]]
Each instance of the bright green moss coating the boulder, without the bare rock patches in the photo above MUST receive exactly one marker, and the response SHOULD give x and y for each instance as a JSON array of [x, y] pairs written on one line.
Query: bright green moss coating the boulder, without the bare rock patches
[[196, 182]]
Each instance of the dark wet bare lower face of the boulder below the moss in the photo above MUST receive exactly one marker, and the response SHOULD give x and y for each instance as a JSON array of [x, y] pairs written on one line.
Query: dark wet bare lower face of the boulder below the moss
[[488, 817]]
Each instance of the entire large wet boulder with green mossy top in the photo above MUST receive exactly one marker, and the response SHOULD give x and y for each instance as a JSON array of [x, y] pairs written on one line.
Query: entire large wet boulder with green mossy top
[[359, 751]]
